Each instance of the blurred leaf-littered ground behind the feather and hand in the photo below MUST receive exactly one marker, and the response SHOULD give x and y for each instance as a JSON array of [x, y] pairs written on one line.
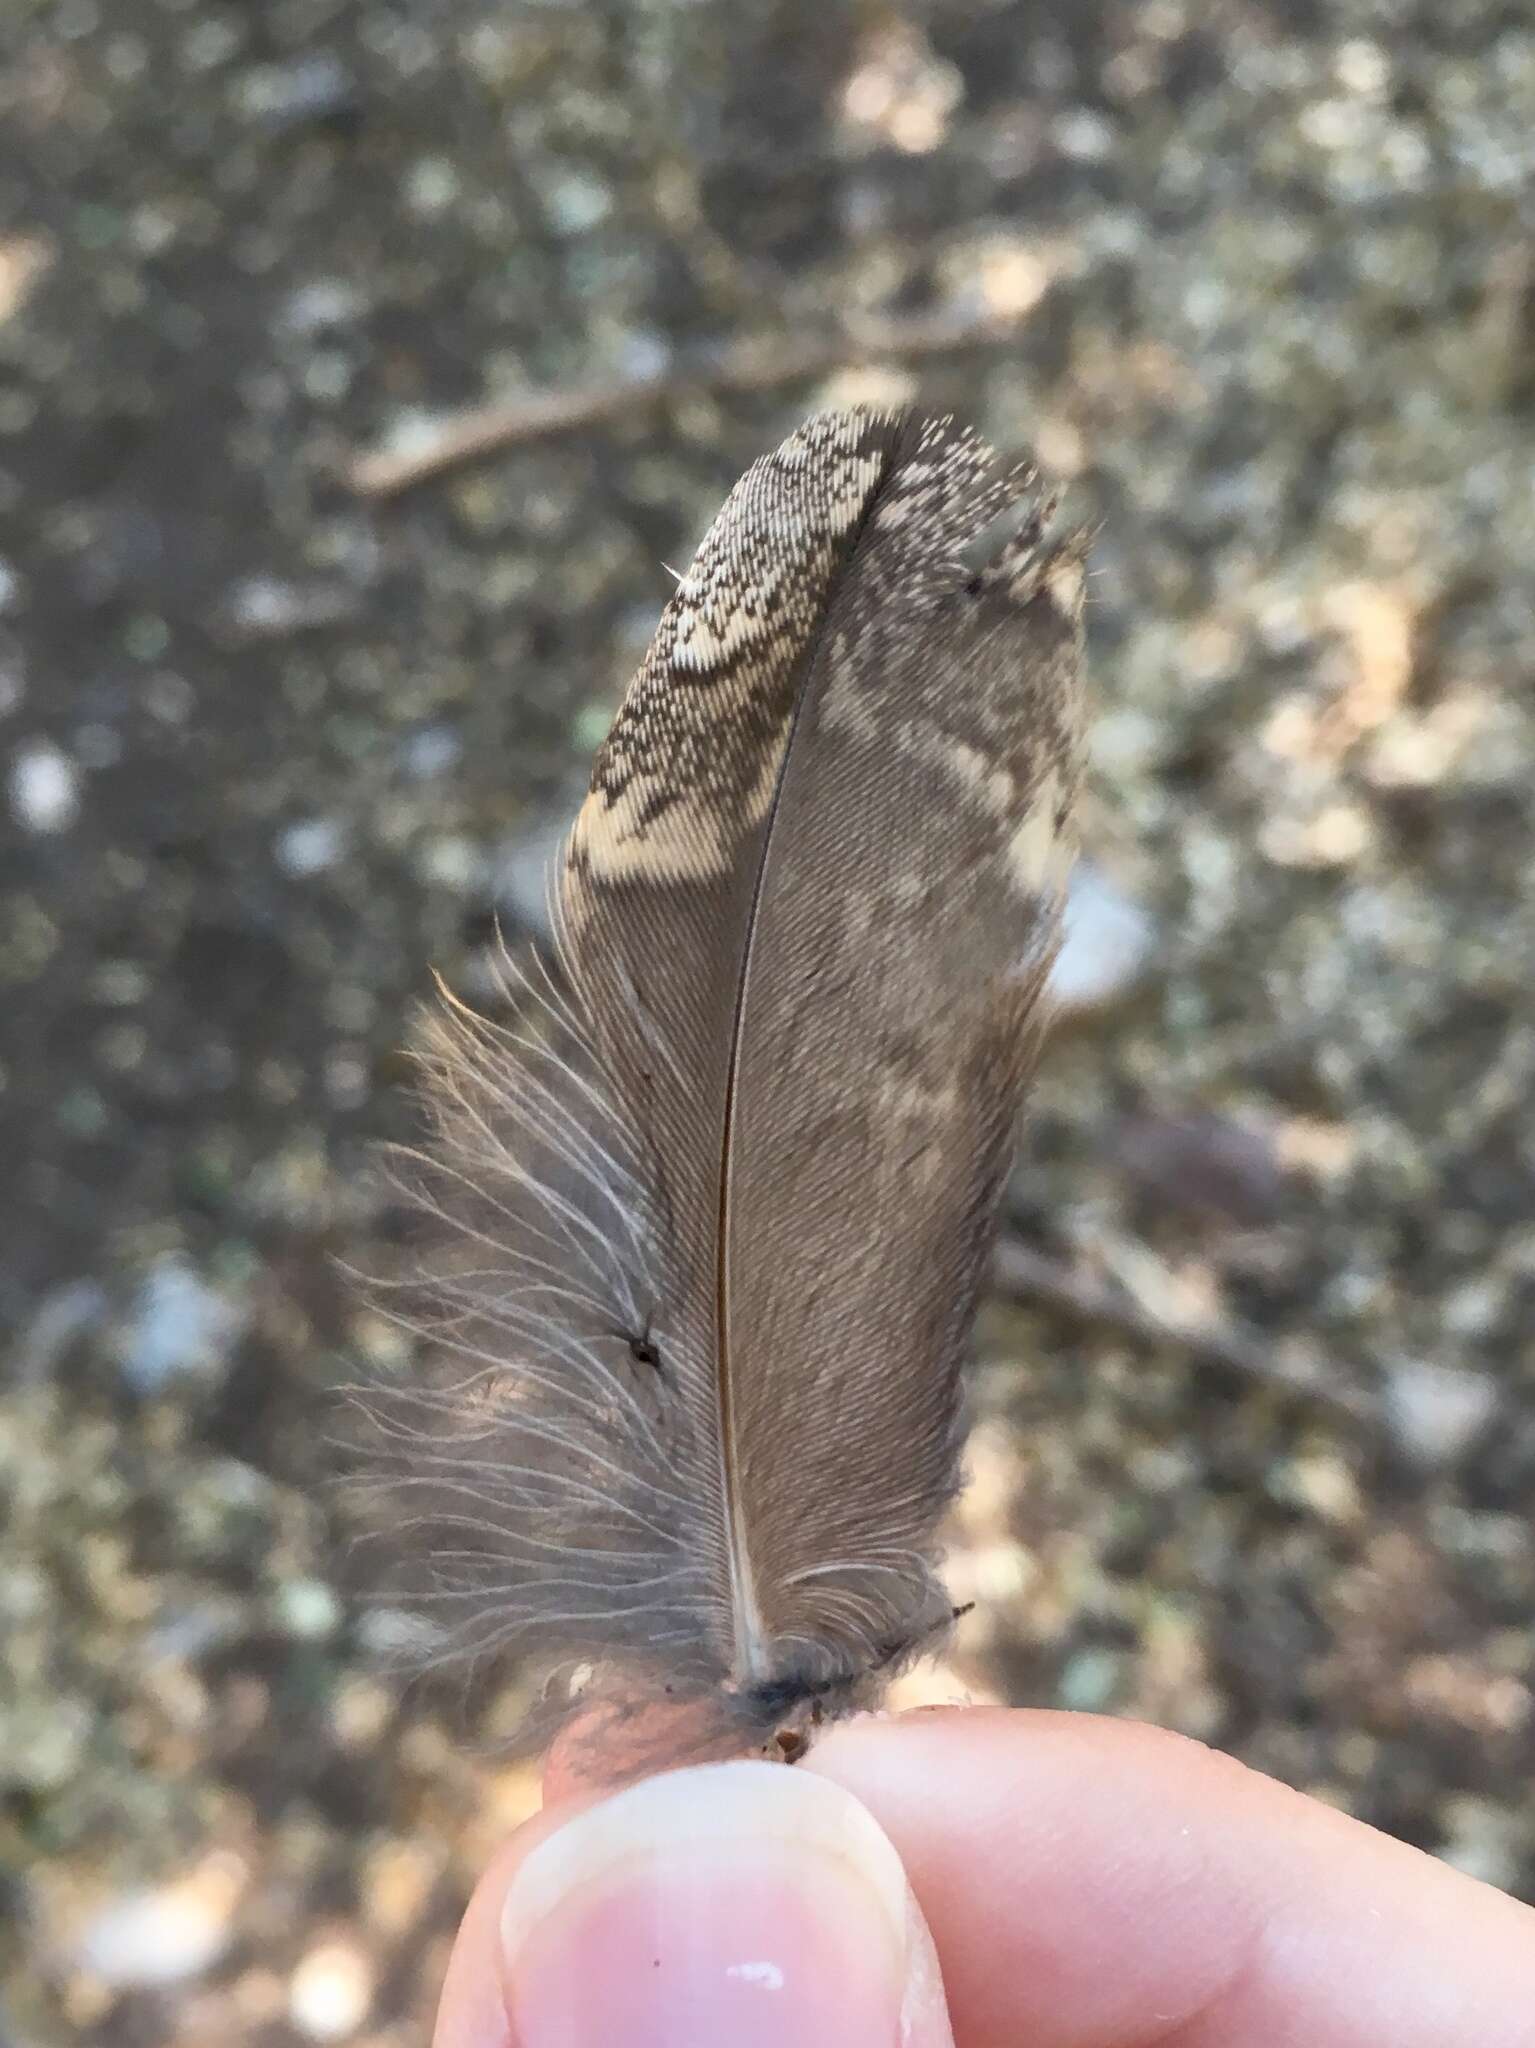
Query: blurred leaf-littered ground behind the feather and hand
[[361, 366]]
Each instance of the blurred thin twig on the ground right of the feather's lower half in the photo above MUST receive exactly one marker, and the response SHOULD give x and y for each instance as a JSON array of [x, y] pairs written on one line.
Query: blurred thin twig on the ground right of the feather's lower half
[[1028, 1275]]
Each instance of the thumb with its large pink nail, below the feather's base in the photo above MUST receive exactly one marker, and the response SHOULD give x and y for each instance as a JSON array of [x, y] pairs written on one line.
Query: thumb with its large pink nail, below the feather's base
[[738, 1904]]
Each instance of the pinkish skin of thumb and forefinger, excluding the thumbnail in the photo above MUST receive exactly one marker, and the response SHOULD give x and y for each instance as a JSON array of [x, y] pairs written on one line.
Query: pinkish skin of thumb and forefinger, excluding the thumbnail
[[1104, 1885]]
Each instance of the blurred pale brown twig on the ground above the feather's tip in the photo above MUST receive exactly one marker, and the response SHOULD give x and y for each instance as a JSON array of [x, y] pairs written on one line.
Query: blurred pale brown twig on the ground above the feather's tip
[[748, 366]]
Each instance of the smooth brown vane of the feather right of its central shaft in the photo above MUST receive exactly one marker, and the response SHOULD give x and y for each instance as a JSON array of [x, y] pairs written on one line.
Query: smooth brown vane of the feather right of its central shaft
[[906, 919]]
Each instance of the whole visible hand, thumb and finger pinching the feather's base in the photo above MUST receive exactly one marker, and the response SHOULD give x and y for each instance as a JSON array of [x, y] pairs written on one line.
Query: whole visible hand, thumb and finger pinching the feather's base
[[1082, 1883]]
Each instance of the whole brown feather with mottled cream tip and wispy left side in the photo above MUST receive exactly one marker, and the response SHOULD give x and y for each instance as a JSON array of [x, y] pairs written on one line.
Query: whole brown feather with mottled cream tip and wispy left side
[[717, 1201]]
